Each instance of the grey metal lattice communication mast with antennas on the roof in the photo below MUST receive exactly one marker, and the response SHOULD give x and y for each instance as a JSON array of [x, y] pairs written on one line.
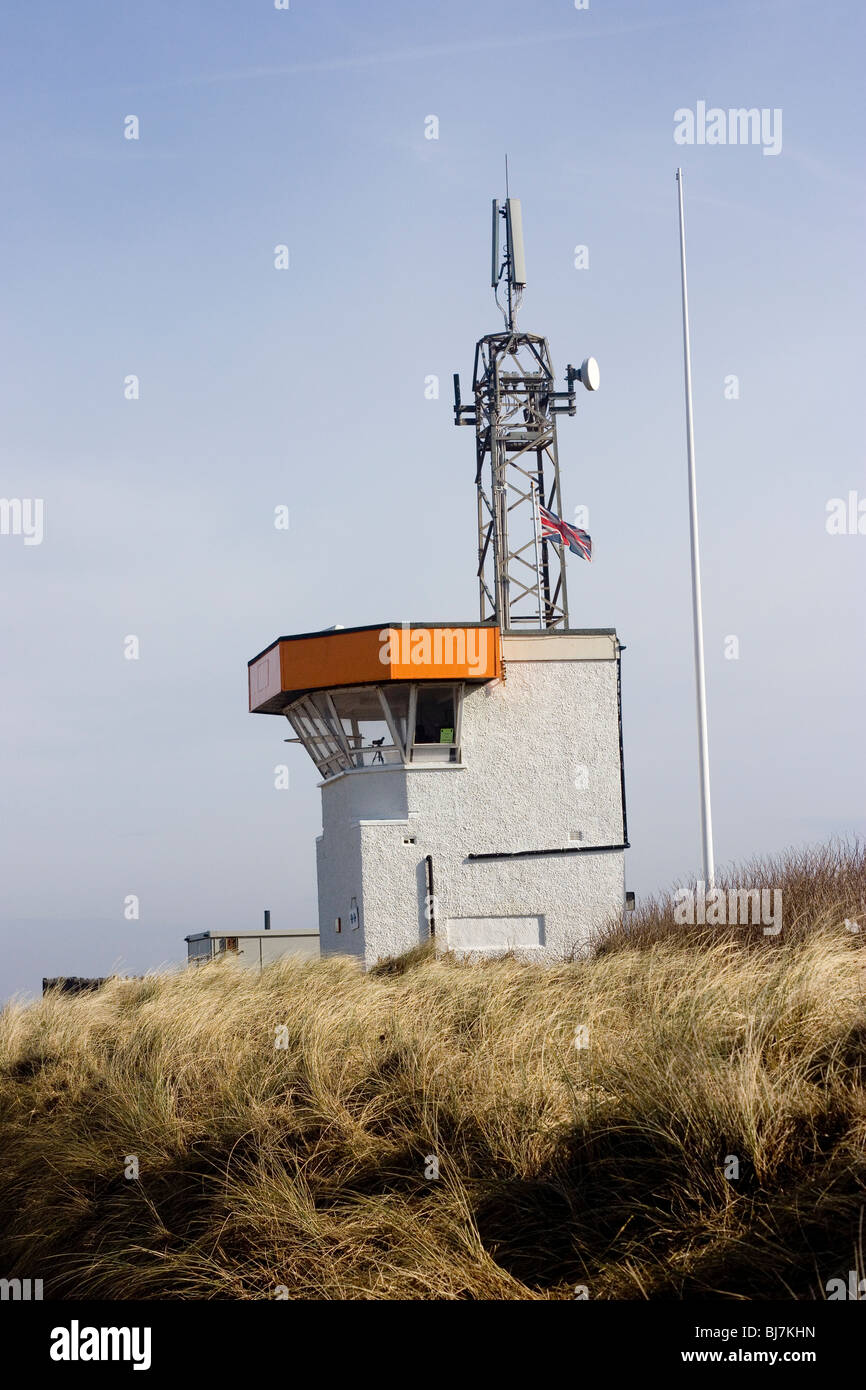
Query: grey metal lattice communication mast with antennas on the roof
[[522, 576]]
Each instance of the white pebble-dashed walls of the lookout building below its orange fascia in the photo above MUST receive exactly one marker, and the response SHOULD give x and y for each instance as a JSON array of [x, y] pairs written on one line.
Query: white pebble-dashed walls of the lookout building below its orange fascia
[[541, 765]]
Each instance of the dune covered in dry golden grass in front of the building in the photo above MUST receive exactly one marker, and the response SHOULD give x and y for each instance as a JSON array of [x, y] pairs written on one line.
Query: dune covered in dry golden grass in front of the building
[[559, 1166]]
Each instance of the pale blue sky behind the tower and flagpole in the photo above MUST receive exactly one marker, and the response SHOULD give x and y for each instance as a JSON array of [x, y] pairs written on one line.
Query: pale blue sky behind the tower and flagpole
[[258, 389]]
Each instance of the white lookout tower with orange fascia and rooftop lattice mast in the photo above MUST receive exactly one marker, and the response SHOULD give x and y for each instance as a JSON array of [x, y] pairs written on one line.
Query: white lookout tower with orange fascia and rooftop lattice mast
[[473, 785]]
